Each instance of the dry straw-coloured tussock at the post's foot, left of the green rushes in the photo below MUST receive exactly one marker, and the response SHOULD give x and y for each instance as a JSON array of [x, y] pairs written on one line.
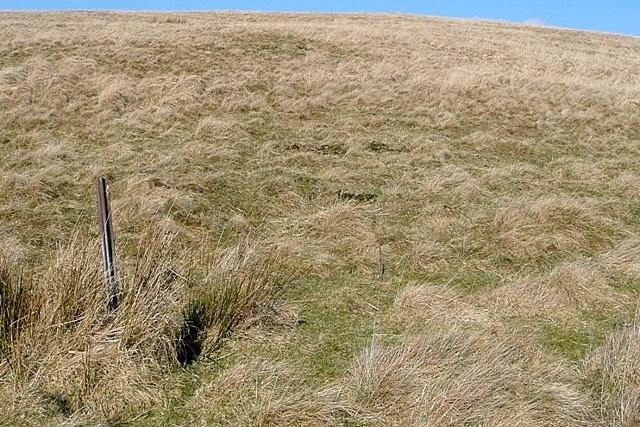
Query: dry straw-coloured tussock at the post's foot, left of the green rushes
[[99, 365]]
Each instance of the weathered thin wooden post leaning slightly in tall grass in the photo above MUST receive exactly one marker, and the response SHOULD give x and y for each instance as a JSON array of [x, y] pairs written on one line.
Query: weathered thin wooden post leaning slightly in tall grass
[[108, 248]]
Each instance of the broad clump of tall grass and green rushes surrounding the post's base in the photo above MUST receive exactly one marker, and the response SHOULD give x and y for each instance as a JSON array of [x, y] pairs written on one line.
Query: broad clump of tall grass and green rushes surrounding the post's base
[[63, 354]]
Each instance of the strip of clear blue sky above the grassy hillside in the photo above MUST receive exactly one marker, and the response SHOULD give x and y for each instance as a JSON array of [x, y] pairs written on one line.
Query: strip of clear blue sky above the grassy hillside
[[615, 16]]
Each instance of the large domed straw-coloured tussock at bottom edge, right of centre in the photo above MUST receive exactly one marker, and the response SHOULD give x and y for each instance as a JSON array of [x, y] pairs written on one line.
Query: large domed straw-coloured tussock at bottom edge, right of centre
[[459, 376]]
